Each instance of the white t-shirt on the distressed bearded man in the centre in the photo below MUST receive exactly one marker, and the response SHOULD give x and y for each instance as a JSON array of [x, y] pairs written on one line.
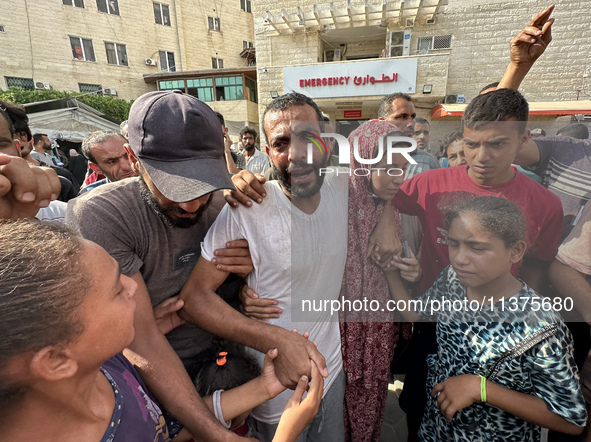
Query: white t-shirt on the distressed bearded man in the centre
[[309, 266]]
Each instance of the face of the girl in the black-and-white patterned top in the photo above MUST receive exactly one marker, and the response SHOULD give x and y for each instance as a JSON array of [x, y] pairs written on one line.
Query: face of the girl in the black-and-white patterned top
[[477, 256]]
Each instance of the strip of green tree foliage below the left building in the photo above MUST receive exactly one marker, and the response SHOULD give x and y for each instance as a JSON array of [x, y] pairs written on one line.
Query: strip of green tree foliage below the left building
[[113, 107]]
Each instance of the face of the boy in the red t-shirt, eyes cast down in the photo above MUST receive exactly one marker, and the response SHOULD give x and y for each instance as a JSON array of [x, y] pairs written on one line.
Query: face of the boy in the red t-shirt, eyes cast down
[[490, 150]]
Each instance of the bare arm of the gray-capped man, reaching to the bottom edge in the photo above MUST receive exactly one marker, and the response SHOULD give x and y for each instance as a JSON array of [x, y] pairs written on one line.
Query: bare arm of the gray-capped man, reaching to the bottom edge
[[164, 374]]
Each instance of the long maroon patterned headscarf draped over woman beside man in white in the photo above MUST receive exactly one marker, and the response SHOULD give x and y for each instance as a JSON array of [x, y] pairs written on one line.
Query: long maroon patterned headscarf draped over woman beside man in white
[[368, 338]]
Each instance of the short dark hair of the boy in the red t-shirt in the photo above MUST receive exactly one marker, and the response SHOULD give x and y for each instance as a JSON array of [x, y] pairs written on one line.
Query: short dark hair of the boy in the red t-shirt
[[499, 105]]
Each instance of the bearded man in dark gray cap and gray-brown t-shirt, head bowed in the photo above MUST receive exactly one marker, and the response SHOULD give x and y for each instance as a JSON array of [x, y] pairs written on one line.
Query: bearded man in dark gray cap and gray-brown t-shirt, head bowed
[[153, 226]]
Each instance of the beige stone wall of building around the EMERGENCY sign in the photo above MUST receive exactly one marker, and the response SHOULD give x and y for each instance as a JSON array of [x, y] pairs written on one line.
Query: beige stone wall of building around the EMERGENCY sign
[[481, 29]]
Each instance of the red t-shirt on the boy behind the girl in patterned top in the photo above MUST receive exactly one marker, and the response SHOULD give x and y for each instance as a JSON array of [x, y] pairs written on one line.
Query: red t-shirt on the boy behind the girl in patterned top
[[430, 194]]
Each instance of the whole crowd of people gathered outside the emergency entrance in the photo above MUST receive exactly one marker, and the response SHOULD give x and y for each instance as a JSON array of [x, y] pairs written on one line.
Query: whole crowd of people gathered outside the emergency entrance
[[164, 300]]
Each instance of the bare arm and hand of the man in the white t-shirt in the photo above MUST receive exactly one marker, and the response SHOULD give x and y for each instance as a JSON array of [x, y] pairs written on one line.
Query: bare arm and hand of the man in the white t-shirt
[[204, 308]]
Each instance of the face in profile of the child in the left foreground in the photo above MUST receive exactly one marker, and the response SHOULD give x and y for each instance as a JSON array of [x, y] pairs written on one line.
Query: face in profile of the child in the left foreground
[[107, 311]]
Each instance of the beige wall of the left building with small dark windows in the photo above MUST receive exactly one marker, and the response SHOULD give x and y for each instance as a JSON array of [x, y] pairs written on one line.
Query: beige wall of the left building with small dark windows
[[36, 41]]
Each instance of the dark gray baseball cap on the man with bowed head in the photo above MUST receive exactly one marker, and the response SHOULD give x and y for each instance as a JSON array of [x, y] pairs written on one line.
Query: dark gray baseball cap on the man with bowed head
[[179, 141]]
